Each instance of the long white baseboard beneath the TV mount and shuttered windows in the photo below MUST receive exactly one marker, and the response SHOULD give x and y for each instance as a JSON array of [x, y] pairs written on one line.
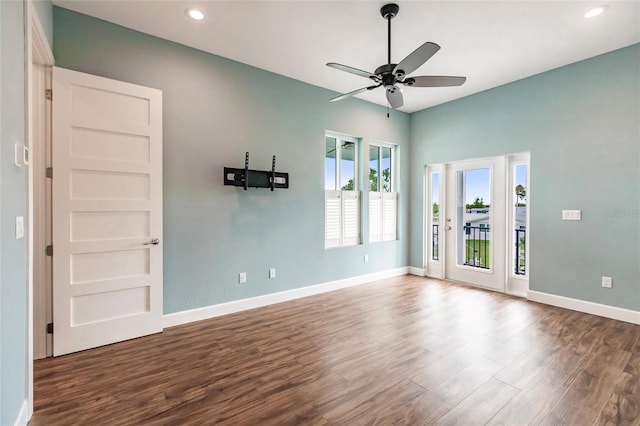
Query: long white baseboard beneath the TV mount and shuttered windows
[[184, 317]]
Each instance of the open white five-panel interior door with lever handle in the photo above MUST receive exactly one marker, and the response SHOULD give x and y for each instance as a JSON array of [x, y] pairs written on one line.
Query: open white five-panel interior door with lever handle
[[107, 211]]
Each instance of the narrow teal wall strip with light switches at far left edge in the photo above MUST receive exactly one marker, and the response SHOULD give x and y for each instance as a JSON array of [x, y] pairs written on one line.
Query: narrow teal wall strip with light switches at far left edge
[[13, 202]]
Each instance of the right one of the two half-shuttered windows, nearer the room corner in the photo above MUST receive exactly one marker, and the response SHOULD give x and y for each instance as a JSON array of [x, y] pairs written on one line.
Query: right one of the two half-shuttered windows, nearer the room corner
[[383, 198]]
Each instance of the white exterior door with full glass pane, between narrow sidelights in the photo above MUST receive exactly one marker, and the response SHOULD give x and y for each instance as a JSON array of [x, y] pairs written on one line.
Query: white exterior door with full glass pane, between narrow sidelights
[[475, 223]]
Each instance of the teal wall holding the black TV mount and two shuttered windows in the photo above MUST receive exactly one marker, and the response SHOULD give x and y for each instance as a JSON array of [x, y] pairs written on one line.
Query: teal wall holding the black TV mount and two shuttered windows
[[215, 109]]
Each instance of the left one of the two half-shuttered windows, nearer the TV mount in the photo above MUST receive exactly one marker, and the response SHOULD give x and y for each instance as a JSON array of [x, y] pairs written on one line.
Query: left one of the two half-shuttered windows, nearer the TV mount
[[342, 198]]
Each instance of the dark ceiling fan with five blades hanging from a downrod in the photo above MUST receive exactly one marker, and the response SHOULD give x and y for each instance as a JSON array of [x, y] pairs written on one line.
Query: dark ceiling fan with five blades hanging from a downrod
[[390, 75]]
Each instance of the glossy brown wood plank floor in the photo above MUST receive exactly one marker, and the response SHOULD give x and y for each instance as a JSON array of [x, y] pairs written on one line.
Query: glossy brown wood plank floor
[[407, 350]]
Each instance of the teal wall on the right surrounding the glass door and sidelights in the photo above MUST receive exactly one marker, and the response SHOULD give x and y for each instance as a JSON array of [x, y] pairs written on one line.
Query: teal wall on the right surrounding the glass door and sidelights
[[581, 125]]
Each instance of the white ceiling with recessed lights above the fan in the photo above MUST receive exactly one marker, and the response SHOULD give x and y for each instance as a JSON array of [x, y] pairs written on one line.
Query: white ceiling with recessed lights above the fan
[[489, 42]]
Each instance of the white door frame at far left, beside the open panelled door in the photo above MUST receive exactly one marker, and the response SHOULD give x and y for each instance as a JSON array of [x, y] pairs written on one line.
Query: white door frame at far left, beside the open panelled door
[[38, 52]]
